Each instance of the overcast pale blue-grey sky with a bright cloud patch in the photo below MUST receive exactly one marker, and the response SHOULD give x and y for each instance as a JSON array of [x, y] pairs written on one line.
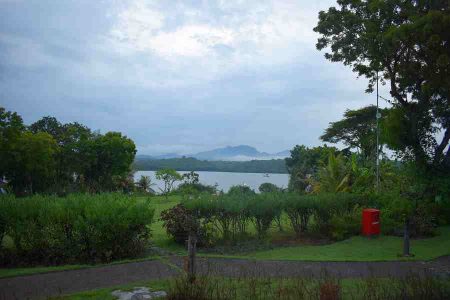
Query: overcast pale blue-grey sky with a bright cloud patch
[[176, 76]]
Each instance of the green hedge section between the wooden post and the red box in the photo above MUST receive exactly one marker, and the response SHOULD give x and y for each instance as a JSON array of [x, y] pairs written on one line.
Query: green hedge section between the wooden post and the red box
[[336, 216]]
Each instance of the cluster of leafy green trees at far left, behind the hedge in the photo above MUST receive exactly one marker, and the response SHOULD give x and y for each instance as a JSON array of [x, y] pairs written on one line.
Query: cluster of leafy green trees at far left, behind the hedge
[[51, 157]]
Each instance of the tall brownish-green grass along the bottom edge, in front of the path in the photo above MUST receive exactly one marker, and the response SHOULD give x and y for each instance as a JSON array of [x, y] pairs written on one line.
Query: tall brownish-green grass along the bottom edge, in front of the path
[[297, 288]]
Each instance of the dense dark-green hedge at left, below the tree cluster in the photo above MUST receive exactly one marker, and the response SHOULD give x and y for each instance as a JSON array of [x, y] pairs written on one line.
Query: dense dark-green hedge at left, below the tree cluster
[[78, 228]]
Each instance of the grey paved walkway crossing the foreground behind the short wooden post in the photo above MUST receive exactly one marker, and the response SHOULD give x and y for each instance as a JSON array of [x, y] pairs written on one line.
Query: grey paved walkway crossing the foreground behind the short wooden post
[[41, 286]]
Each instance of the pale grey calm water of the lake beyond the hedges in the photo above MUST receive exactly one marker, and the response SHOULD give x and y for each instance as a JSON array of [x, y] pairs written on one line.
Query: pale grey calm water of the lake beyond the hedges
[[225, 180]]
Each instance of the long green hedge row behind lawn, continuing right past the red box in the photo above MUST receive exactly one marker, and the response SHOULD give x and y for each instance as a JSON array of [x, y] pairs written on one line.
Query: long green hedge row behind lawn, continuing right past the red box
[[335, 216]]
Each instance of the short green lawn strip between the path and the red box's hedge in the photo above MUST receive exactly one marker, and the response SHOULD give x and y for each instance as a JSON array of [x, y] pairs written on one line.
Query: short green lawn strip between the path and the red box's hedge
[[360, 249]]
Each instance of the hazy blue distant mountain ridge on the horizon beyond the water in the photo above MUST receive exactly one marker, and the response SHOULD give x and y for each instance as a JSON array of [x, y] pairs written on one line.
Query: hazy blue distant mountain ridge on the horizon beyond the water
[[229, 153]]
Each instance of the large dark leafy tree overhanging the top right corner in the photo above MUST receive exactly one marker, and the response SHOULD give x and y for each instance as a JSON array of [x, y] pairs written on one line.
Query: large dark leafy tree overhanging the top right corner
[[407, 44]]
